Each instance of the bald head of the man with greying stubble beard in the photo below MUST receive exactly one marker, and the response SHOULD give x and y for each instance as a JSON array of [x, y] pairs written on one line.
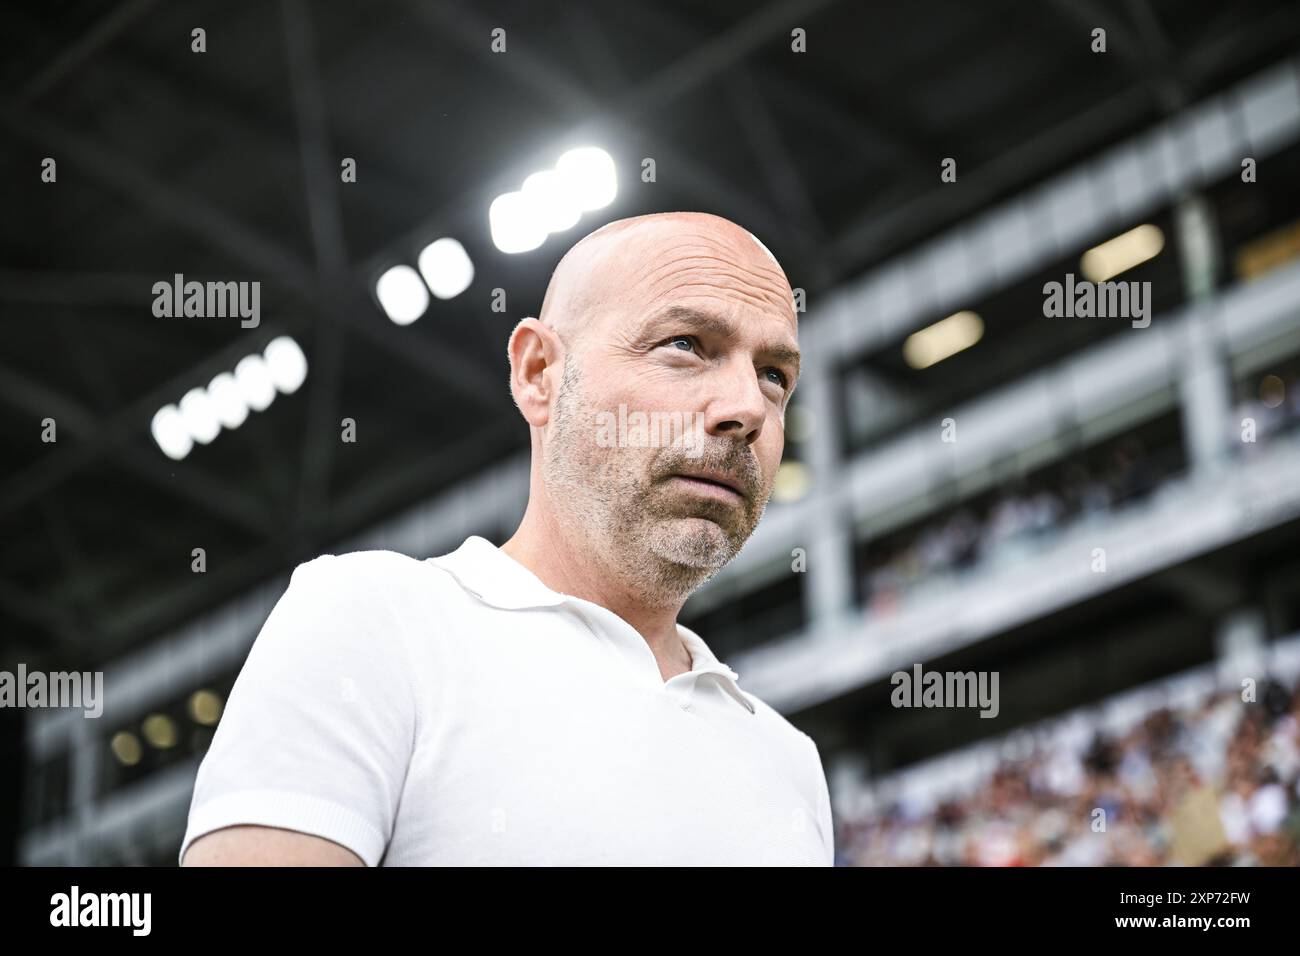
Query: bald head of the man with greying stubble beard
[[652, 326]]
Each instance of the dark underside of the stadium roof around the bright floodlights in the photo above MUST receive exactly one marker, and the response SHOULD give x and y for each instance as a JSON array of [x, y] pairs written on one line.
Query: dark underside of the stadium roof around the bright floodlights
[[226, 166]]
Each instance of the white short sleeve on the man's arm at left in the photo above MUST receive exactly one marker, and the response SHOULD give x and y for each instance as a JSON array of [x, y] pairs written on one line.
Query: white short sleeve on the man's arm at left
[[320, 725]]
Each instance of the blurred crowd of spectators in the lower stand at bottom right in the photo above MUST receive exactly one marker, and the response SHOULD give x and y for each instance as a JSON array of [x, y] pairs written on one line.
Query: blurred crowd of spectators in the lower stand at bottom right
[[1038, 811]]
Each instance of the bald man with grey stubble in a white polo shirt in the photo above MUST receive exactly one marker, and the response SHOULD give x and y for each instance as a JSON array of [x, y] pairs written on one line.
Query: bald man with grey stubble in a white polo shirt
[[539, 703]]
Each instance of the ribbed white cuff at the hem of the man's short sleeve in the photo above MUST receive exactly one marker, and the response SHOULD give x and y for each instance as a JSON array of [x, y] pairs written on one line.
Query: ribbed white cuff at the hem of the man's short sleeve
[[288, 811]]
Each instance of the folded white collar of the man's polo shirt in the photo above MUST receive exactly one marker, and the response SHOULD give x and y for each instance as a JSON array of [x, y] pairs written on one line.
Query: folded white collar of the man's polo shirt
[[497, 579]]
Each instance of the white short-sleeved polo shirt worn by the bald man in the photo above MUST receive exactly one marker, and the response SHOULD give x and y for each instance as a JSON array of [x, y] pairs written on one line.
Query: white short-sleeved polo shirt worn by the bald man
[[458, 712]]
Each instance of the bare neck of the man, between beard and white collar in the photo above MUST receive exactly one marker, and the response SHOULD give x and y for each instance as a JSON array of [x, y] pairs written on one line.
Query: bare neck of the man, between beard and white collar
[[573, 569]]
